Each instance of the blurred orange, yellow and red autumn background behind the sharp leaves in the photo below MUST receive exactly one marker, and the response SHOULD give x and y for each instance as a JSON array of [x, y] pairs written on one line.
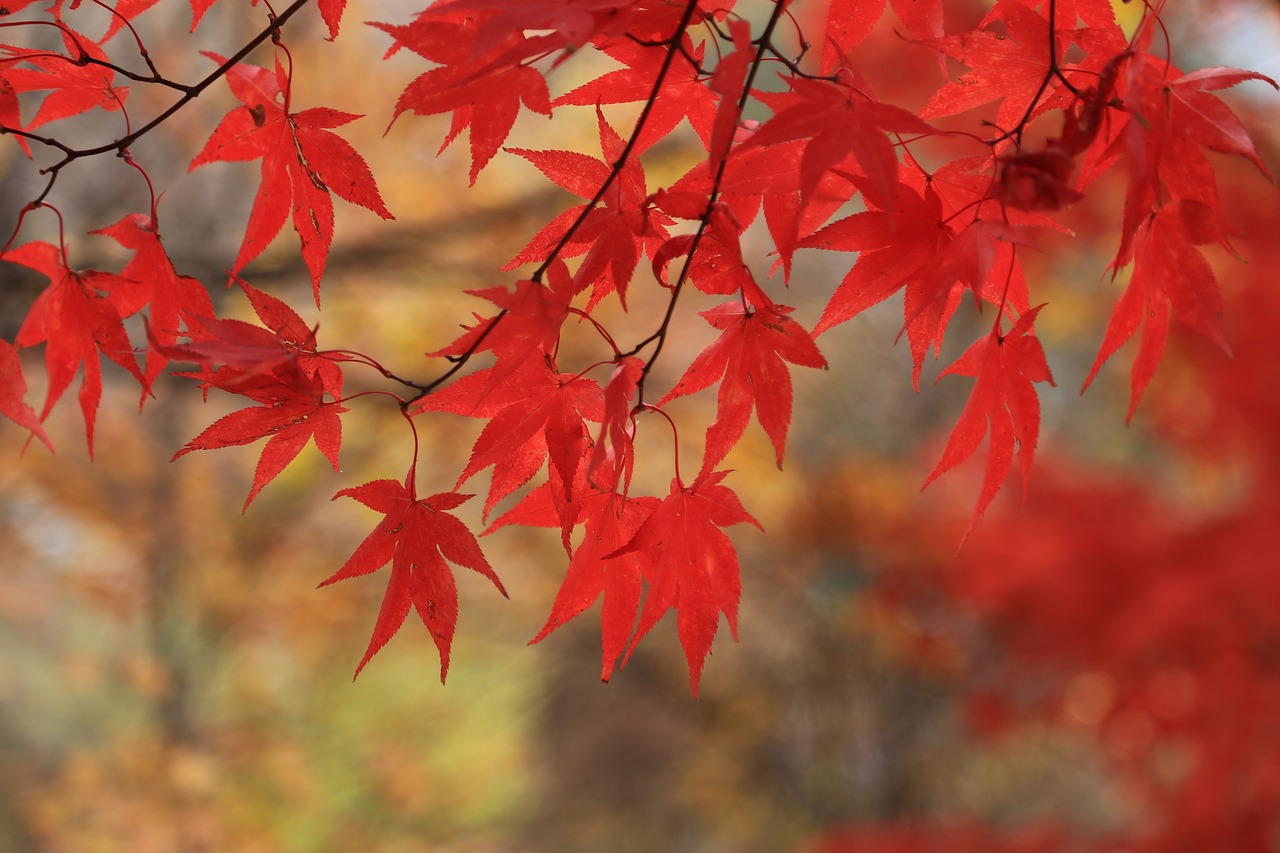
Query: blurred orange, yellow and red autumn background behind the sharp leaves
[[1096, 669]]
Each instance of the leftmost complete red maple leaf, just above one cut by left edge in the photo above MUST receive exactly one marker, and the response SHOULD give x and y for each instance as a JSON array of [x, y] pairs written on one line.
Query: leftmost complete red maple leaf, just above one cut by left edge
[[76, 321]]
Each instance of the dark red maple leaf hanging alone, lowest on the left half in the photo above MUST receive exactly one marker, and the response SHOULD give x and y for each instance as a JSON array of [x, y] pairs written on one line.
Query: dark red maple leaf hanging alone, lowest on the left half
[[419, 539]]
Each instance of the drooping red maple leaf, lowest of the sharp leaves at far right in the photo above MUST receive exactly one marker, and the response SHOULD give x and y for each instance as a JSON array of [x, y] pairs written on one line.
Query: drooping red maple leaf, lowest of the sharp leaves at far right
[[1171, 279]]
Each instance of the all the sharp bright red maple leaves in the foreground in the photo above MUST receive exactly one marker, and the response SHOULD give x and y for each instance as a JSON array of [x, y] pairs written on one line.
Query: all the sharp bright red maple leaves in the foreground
[[932, 234]]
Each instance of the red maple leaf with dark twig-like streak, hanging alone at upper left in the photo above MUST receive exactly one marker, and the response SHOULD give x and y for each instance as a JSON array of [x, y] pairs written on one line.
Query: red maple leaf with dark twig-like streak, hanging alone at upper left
[[304, 162]]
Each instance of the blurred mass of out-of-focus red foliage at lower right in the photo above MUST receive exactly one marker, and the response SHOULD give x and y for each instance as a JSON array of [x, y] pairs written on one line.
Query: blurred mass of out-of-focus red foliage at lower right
[[1142, 612]]
